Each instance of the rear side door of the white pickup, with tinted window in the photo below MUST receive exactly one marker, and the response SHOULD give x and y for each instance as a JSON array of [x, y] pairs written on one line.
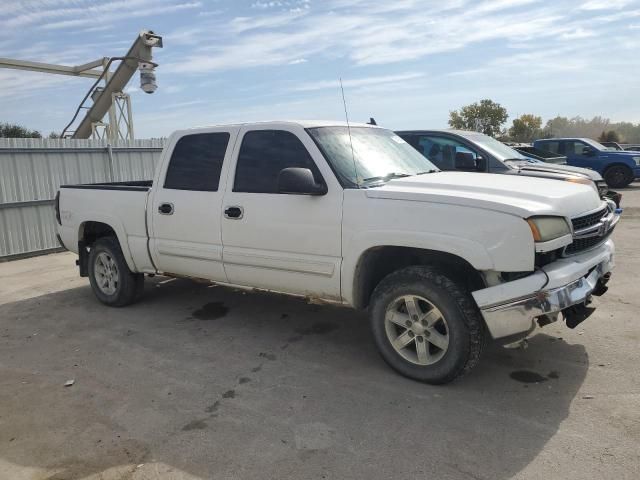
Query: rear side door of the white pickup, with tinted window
[[185, 210]]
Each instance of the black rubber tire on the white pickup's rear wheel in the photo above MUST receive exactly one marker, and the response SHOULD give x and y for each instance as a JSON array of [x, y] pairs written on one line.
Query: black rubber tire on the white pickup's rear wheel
[[127, 287]]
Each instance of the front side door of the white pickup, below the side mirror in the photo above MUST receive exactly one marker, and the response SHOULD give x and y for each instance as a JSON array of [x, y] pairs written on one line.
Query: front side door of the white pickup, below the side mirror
[[284, 242]]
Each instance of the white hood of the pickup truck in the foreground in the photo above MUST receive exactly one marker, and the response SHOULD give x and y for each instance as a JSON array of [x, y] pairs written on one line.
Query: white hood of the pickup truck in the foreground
[[521, 196]]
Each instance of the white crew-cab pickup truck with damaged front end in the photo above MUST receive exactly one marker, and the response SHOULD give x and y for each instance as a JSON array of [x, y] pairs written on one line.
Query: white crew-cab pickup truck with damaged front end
[[354, 215]]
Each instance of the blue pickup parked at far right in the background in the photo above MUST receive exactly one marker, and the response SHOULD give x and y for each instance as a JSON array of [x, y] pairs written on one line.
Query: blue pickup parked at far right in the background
[[618, 168]]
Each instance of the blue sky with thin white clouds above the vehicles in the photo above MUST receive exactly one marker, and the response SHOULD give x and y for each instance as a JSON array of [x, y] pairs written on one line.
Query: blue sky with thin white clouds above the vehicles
[[406, 63]]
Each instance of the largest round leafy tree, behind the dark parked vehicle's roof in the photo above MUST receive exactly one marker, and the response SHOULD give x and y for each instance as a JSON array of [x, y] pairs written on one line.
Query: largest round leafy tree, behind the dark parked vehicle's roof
[[485, 116]]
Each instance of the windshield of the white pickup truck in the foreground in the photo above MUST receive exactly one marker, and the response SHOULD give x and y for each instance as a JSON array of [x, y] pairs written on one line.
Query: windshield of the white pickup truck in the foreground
[[378, 155]]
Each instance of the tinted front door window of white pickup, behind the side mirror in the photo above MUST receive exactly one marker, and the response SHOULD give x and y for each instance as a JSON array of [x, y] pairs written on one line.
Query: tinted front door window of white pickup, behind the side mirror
[[263, 154]]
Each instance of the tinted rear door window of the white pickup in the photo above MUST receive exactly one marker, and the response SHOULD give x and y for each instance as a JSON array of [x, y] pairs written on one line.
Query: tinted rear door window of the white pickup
[[196, 162]]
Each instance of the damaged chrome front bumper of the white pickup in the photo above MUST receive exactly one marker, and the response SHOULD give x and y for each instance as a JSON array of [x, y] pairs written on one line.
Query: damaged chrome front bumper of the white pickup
[[517, 315]]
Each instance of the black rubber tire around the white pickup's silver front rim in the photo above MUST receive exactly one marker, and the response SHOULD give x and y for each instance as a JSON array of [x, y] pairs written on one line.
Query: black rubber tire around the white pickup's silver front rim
[[463, 324]]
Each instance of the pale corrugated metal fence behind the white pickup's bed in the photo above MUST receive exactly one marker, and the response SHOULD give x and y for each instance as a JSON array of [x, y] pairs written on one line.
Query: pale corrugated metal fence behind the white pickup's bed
[[32, 169]]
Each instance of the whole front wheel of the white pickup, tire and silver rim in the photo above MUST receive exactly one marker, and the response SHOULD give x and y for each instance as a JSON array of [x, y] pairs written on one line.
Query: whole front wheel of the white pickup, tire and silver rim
[[426, 326]]
